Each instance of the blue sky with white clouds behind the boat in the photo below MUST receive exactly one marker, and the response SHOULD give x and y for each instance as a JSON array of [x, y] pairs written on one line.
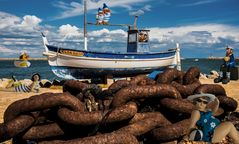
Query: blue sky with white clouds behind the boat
[[201, 27]]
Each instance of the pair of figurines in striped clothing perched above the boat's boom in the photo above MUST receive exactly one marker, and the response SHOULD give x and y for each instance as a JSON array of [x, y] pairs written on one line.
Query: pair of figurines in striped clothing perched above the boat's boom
[[103, 15]]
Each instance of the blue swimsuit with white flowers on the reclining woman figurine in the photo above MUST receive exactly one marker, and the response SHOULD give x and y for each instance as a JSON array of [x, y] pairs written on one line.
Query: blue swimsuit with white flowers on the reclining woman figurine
[[207, 123]]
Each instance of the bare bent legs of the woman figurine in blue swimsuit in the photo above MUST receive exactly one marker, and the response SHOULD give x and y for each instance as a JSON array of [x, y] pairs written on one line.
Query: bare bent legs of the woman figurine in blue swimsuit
[[224, 129]]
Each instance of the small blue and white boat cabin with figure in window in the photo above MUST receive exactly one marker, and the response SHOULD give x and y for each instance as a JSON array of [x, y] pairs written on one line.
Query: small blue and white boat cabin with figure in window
[[138, 41]]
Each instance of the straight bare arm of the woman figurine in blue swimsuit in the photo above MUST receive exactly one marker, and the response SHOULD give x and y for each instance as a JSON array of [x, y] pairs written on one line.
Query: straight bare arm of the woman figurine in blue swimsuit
[[195, 116]]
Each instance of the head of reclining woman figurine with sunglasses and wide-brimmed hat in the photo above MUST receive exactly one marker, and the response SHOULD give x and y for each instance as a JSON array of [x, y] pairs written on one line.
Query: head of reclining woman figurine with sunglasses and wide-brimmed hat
[[201, 100]]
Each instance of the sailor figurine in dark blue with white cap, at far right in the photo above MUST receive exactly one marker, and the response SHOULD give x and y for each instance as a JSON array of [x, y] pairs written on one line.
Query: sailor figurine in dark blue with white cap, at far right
[[228, 63]]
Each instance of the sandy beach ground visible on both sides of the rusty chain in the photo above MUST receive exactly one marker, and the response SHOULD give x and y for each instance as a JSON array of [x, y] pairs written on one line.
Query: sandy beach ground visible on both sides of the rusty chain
[[6, 98]]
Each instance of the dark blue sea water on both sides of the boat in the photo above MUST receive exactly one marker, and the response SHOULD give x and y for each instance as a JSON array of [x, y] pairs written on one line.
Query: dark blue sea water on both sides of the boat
[[7, 68]]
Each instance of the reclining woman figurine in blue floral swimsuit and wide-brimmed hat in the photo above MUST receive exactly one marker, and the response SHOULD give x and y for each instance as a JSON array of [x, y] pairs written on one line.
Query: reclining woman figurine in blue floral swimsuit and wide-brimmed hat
[[212, 129]]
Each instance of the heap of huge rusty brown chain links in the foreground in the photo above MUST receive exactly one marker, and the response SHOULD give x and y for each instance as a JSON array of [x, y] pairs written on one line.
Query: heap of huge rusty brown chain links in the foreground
[[140, 110]]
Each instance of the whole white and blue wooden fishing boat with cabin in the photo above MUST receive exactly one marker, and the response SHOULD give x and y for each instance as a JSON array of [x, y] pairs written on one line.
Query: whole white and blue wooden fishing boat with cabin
[[78, 64]]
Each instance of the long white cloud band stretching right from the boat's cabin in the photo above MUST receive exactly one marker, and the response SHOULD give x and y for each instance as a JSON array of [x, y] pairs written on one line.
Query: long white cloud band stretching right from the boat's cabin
[[207, 34]]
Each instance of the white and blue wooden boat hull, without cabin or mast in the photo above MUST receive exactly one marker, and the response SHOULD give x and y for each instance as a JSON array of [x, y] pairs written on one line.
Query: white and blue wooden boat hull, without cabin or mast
[[70, 64]]
